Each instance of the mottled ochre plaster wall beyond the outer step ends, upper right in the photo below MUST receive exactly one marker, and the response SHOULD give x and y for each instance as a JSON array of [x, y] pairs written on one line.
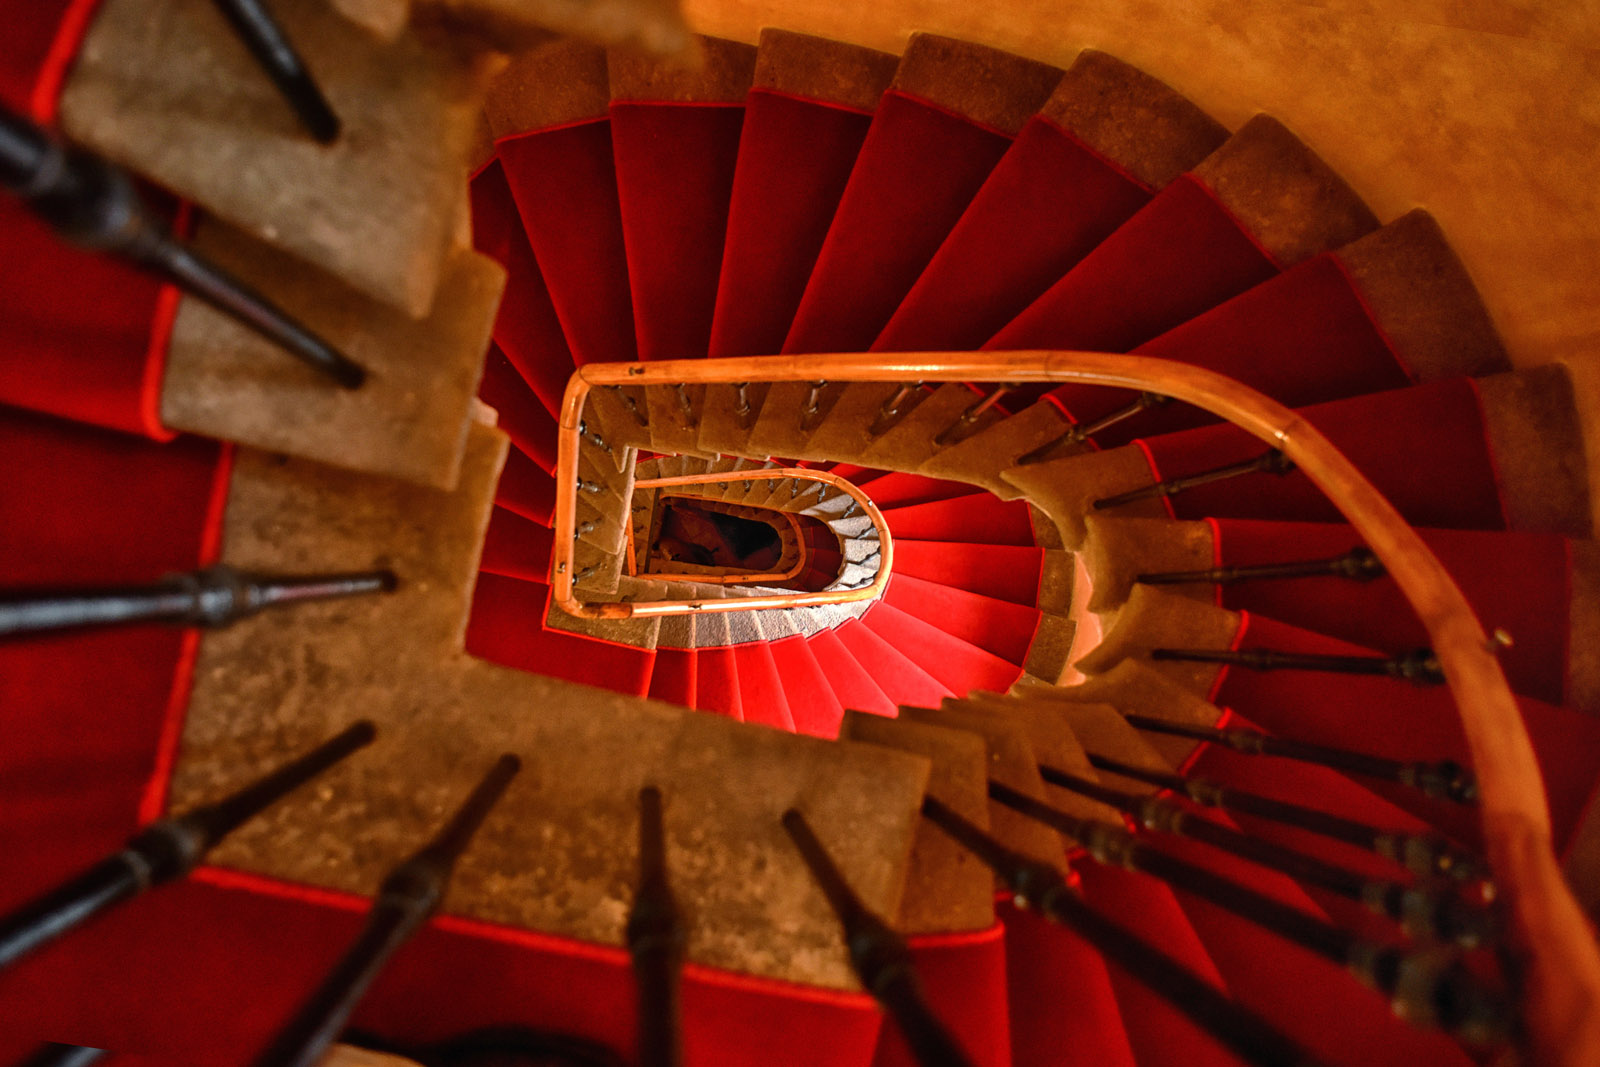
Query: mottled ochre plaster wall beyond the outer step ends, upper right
[[1484, 113]]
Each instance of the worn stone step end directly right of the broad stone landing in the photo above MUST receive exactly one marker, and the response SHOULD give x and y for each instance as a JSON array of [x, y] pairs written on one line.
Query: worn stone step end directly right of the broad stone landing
[[950, 889]]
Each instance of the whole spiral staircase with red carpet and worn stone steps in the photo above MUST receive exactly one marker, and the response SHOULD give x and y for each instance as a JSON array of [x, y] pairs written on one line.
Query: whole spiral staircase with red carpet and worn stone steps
[[1054, 591]]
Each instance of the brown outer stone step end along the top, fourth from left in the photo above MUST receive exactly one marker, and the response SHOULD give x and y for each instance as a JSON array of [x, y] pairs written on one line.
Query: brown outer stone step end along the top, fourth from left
[[988, 86]]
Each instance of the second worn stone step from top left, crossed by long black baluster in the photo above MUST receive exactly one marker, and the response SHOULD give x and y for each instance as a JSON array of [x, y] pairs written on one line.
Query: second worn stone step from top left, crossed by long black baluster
[[409, 420]]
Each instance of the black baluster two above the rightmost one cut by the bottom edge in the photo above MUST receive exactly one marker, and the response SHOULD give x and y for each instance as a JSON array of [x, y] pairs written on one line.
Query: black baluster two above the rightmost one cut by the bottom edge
[[1417, 909]]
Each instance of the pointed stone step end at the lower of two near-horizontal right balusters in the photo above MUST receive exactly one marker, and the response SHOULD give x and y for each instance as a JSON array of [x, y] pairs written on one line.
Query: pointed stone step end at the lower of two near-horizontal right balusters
[[1154, 618]]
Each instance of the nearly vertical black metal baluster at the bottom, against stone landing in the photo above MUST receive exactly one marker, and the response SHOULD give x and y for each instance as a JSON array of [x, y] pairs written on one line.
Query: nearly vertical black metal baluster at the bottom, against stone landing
[[655, 940]]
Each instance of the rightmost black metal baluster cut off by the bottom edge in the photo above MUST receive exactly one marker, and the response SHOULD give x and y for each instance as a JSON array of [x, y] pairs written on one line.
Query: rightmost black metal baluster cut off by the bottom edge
[[1042, 889]]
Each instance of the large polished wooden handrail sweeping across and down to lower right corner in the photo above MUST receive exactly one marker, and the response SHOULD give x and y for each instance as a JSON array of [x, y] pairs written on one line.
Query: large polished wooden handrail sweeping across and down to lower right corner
[[1562, 975]]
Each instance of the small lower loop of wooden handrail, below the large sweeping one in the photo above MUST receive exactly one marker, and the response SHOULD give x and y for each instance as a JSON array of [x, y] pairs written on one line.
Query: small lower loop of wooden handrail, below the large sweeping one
[[562, 562]]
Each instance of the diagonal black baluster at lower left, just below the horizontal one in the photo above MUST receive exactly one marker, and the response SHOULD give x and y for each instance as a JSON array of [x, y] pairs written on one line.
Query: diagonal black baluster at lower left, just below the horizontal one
[[164, 852]]
